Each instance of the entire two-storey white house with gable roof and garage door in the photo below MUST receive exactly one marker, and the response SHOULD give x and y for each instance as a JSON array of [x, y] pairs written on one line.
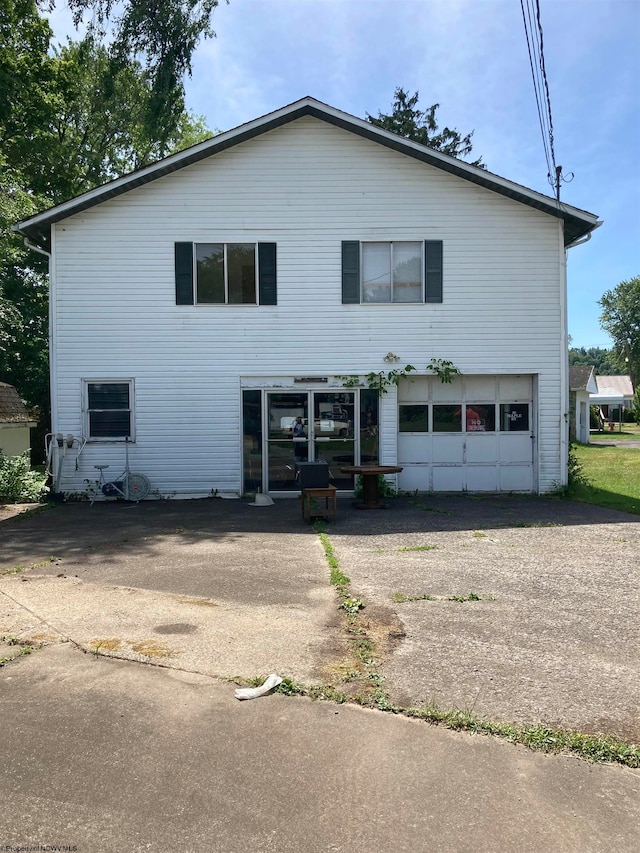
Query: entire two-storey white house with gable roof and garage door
[[204, 303]]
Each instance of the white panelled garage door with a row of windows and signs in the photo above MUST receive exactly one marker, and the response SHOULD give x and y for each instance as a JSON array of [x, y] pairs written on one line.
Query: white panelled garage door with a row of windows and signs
[[475, 434]]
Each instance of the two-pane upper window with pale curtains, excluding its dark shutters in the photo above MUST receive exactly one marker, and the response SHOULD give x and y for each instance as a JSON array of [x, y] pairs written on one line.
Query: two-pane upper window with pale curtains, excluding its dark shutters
[[393, 271]]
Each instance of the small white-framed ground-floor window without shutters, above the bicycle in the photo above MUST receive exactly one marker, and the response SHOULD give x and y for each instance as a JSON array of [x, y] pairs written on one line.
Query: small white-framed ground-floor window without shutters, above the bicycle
[[108, 409]]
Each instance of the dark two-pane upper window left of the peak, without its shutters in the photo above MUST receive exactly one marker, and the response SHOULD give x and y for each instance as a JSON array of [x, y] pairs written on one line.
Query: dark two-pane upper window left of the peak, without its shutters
[[226, 273]]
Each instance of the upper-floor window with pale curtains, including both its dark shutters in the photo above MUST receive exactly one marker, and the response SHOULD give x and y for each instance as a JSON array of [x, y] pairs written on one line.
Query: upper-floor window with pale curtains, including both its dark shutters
[[398, 271]]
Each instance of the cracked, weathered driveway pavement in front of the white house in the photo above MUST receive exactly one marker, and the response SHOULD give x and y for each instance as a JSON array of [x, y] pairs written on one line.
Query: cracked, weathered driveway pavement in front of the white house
[[112, 754]]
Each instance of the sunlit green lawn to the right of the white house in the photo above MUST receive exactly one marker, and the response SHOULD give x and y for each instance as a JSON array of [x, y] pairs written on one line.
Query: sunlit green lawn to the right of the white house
[[614, 474]]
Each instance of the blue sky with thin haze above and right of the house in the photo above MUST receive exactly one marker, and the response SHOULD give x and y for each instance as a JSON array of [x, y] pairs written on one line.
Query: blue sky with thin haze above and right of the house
[[470, 56]]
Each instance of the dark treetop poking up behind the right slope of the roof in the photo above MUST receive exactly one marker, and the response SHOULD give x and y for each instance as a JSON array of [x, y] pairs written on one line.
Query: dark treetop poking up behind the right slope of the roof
[[421, 126]]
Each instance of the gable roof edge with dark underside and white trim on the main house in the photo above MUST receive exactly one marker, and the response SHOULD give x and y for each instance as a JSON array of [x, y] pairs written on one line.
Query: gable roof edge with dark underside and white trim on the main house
[[577, 223]]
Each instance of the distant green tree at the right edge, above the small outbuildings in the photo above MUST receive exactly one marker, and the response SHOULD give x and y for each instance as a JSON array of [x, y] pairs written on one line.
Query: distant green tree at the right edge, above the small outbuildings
[[621, 319]]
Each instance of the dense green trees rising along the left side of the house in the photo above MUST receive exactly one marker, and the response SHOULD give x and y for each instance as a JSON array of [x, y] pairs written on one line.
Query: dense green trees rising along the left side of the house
[[71, 118]]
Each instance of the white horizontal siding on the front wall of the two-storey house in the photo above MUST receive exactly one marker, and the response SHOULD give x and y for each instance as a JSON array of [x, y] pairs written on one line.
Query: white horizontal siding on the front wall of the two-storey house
[[306, 186]]
